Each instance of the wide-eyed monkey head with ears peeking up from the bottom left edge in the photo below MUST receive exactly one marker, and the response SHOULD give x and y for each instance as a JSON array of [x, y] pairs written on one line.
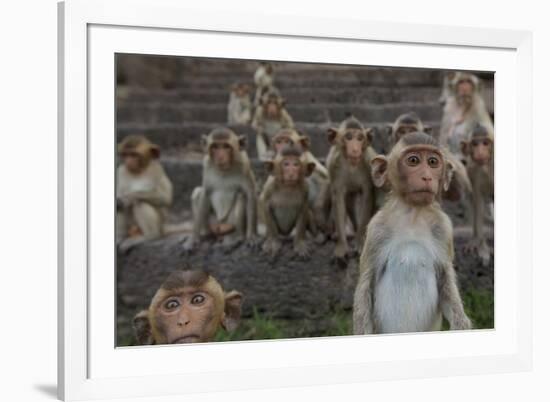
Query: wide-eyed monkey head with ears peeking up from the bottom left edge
[[189, 307]]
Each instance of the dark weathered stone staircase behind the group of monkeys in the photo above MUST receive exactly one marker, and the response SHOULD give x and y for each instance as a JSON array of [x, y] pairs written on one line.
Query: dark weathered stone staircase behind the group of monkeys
[[192, 99]]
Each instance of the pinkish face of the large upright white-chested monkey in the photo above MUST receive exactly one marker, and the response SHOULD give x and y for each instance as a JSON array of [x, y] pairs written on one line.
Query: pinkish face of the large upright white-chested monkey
[[421, 170]]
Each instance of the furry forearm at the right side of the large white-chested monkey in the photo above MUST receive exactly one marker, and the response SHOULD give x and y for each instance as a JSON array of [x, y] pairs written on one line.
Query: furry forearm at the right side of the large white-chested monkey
[[449, 299]]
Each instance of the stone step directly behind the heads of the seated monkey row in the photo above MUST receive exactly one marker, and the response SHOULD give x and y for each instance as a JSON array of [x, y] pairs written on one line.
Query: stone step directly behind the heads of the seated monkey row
[[174, 138]]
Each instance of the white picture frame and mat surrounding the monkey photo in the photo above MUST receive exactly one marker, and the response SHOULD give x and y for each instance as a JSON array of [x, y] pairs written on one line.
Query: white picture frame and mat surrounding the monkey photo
[[90, 366]]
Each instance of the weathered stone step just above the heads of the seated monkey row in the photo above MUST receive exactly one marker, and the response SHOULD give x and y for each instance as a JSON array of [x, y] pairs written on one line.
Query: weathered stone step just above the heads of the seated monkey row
[[314, 113]]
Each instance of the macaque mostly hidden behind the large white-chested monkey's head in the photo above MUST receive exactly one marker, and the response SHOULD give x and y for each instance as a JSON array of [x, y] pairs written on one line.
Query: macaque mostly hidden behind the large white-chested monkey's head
[[410, 123]]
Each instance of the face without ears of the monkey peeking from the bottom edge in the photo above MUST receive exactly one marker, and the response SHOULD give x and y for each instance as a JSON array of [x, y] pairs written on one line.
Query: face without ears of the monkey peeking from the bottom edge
[[187, 316]]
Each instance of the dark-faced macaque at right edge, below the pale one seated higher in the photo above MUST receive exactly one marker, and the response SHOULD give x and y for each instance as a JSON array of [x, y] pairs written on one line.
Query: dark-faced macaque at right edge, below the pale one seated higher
[[478, 150]]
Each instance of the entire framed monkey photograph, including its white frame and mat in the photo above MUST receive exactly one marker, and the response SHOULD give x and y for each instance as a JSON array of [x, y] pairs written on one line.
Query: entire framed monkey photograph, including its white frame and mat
[[269, 201]]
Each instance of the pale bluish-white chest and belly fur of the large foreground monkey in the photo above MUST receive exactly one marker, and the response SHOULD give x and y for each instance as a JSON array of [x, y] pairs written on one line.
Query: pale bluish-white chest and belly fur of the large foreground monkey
[[406, 296]]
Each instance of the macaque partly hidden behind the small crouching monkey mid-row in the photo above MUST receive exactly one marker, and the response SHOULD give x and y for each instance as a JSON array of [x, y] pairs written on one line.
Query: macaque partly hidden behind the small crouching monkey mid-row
[[318, 181]]
